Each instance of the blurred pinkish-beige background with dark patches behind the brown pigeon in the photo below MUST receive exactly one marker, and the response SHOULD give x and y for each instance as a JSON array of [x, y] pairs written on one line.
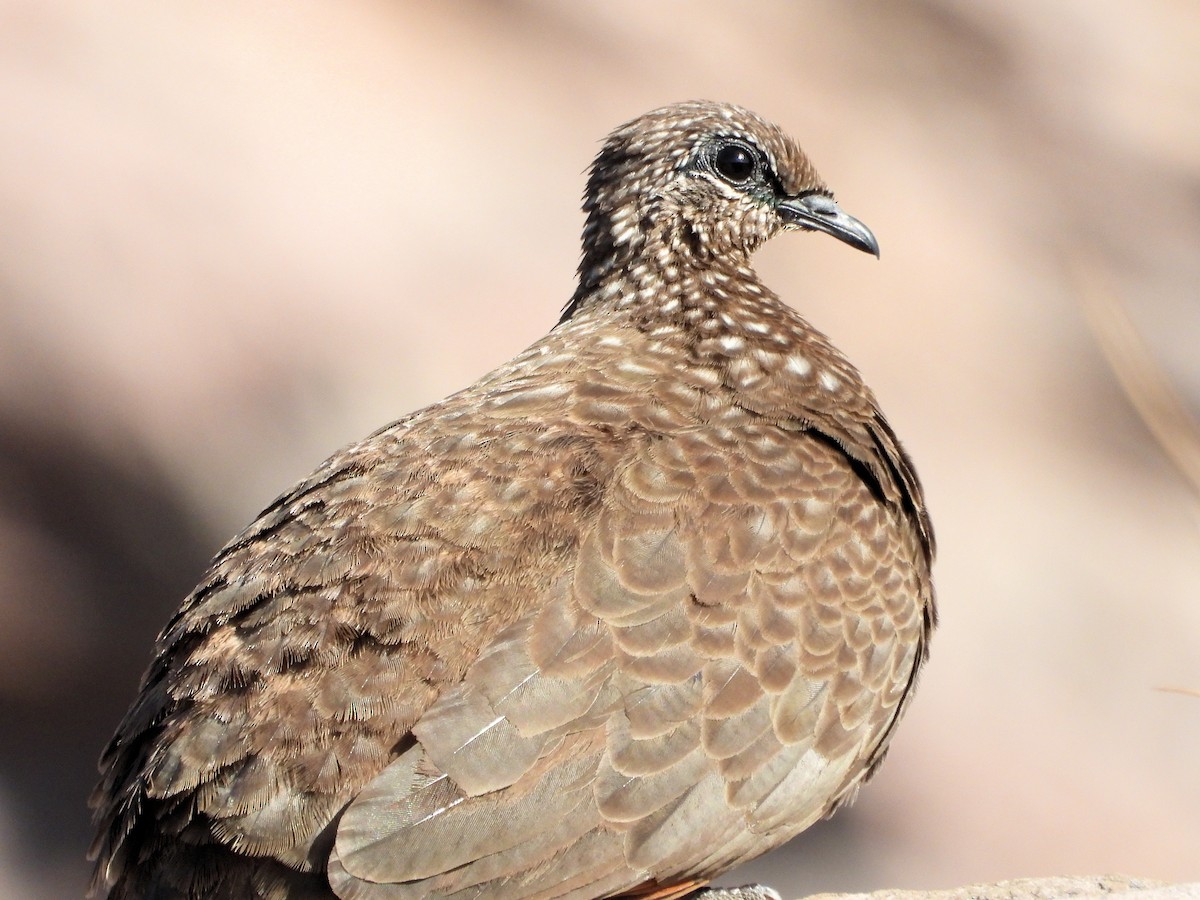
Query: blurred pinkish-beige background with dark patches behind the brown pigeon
[[235, 237]]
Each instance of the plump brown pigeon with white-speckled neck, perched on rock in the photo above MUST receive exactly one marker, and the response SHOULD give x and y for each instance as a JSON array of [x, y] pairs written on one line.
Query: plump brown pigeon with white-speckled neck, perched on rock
[[639, 605]]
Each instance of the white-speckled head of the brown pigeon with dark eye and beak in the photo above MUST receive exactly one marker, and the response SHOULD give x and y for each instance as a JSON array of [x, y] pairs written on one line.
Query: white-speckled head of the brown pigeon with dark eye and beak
[[704, 181]]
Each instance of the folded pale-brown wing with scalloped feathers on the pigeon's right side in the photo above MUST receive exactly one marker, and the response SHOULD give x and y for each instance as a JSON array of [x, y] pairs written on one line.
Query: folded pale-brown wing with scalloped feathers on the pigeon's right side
[[703, 683]]
